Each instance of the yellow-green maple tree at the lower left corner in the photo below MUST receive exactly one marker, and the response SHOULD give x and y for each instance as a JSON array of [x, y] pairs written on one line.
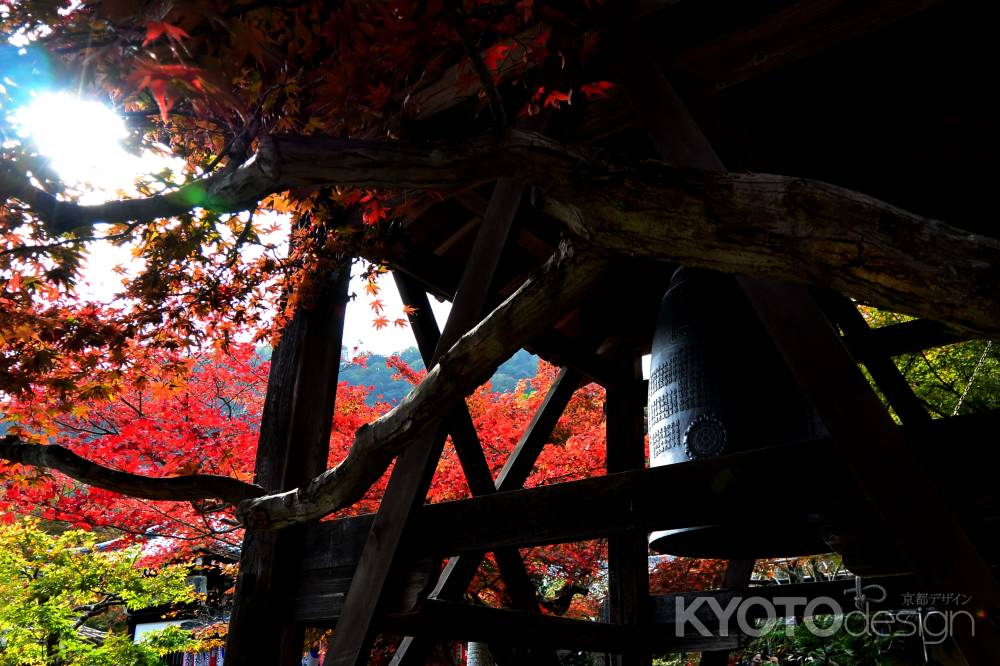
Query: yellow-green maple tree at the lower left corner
[[59, 595]]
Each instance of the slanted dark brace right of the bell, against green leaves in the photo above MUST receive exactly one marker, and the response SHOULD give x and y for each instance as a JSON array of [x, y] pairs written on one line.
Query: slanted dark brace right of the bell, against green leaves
[[858, 338]]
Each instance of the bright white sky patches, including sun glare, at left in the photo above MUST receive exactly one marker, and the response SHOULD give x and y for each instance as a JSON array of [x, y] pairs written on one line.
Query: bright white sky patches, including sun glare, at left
[[83, 140]]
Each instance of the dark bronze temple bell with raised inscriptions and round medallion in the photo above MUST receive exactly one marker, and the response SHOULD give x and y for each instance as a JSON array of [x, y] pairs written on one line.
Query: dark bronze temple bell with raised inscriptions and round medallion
[[717, 386]]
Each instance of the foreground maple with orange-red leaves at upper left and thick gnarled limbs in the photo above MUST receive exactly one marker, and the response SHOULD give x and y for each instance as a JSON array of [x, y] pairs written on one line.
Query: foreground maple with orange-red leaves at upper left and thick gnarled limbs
[[322, 100]]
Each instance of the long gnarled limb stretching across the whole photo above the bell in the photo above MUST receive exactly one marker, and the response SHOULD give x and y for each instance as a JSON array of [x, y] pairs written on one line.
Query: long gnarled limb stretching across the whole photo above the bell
[[760, 226]]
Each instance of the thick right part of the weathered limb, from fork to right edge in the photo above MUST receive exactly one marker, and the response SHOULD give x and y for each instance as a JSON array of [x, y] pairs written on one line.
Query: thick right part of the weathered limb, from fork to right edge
[[793, 230]]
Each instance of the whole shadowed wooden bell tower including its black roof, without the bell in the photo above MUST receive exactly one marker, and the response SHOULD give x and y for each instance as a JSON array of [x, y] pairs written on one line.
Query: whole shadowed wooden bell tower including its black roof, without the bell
[[886, 98]]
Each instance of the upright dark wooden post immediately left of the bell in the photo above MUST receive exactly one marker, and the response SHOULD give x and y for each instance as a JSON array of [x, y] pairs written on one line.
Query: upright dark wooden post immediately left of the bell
[[628, 554]]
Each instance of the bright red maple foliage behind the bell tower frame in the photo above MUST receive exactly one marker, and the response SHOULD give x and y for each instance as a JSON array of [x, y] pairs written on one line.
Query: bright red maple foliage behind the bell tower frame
[[200, 414]]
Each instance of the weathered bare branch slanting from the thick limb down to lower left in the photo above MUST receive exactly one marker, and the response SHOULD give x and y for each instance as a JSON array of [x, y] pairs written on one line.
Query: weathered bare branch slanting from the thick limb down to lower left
[[540, 302]]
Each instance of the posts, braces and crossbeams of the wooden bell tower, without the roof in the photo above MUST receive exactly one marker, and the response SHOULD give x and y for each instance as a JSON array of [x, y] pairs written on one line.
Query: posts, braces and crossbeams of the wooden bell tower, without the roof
[[363, 575]]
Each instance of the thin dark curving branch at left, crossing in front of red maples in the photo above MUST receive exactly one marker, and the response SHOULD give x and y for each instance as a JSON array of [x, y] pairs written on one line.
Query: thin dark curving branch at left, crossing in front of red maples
[[180, 488]]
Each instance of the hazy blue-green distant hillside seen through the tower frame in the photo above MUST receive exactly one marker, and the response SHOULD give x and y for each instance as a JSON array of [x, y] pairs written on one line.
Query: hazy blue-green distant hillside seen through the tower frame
[[520, 366]]
